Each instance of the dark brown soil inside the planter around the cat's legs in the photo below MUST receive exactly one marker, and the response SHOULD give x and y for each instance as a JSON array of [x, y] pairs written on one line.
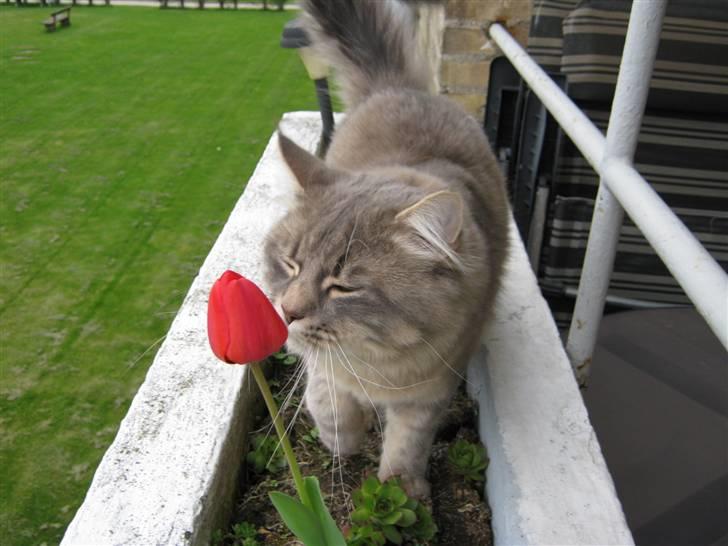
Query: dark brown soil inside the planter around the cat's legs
[[458, 508]]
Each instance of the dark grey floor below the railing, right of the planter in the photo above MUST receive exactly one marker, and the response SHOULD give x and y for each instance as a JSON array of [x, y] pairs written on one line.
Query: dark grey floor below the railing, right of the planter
[[658, 400]]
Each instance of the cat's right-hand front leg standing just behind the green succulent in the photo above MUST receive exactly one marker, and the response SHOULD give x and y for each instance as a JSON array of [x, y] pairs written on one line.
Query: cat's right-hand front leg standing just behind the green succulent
[[408, 438]]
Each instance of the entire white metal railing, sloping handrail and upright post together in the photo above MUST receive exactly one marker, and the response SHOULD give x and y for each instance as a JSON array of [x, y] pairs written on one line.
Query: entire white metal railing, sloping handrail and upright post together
[[622, 187]]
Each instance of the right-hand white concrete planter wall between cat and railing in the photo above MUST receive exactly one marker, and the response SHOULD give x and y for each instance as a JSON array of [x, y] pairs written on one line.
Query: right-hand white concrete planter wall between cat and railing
[[547, 482]]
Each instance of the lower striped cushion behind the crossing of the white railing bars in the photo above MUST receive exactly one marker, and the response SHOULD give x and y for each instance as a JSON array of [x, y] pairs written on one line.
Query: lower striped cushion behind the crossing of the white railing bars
[[686, 162]]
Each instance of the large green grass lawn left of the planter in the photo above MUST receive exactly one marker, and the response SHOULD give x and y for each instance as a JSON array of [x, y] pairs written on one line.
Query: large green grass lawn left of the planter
[[125, 141]]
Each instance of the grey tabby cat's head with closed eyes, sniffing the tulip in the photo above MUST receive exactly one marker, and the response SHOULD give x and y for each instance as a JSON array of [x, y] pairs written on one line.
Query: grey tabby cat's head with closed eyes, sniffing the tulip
[[369, 260]]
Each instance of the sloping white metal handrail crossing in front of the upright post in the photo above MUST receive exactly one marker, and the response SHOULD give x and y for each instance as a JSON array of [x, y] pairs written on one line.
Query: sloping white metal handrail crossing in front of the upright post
[[705, 283]]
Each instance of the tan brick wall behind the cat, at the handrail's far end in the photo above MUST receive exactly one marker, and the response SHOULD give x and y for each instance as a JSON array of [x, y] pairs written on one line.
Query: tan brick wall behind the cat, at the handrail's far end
[[466, 51]]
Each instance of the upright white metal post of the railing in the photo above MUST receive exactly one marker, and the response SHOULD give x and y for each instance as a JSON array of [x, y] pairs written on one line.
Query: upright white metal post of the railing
[[625, 121]]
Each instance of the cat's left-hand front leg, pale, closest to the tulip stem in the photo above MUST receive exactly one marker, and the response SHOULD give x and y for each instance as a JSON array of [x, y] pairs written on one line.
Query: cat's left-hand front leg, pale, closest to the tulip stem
[[342, 421]]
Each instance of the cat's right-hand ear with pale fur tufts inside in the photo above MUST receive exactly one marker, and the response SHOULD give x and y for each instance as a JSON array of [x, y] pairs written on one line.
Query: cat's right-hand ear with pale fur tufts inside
[[438, 219]]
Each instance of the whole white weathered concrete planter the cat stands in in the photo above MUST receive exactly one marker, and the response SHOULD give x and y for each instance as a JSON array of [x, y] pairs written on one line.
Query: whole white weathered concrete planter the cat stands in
[[169, 476]]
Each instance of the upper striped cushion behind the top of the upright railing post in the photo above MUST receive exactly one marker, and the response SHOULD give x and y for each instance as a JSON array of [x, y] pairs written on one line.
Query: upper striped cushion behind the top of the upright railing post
[[691, 70]]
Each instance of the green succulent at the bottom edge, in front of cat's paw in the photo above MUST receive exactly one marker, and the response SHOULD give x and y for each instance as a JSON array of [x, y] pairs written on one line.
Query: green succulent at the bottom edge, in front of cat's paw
[[385, 509]]
